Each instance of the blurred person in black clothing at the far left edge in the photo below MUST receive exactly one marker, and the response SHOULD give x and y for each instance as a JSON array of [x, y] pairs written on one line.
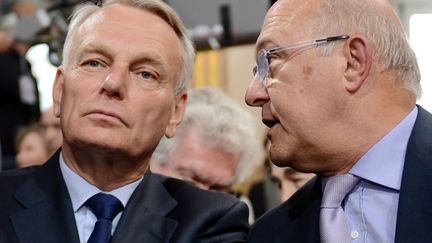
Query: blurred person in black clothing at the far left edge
[[19, 96]]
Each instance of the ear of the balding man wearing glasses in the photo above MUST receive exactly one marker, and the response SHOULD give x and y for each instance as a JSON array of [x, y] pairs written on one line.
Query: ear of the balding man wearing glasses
[[359, 61]]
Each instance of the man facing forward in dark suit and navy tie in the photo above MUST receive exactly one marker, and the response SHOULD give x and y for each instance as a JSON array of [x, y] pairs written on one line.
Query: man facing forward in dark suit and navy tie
[[121, 87]]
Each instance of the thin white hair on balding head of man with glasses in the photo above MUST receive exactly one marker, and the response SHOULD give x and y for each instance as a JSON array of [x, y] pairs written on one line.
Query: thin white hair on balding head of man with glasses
[[373, 19]]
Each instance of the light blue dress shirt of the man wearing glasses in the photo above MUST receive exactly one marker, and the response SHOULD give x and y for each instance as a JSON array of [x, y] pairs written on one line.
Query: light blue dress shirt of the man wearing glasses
[[371, 207]]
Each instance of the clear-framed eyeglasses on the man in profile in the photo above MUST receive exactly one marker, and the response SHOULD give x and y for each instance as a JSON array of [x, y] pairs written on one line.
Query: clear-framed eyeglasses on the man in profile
[[264, 55]]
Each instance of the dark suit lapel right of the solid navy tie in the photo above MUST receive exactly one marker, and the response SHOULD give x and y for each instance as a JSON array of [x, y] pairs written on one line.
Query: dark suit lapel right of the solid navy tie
[[144, 217]]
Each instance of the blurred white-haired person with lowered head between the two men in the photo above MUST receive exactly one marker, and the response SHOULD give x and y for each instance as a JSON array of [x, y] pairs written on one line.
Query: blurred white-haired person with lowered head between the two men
[[216, 146]]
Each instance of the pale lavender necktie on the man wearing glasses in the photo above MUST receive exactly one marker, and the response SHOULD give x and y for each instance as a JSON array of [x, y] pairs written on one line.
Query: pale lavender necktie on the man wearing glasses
[[333, 223]]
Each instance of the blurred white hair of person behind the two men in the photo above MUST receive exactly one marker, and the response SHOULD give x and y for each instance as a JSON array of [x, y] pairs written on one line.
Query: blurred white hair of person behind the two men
[[227, 126]]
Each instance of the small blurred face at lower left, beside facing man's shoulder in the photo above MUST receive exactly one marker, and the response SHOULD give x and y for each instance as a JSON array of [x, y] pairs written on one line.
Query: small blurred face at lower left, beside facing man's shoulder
[[31, 148]]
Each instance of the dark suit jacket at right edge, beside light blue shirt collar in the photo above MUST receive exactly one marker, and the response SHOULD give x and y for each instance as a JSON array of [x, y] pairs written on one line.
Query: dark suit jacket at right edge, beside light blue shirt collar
[[414, 210]]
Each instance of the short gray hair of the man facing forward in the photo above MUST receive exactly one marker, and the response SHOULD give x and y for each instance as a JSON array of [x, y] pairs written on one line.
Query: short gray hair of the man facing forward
[[156, 7]]
